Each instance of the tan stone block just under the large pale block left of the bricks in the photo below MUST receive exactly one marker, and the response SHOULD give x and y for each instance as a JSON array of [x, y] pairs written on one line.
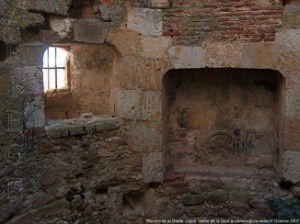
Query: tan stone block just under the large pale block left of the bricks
[[155, 47]]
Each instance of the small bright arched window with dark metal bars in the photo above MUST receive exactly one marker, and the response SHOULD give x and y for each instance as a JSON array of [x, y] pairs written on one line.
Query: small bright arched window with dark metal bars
[[55, 68]]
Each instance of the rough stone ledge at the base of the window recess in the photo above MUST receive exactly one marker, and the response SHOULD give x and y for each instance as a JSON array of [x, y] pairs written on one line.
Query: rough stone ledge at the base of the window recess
[[81, 126]]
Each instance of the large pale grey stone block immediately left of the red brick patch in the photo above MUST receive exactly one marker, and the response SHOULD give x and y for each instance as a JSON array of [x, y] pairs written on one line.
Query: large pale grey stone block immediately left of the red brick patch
[[146, 21]]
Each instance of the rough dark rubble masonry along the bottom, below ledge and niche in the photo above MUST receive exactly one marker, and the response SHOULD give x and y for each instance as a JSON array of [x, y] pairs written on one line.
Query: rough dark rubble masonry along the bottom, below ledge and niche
[[86, 172]]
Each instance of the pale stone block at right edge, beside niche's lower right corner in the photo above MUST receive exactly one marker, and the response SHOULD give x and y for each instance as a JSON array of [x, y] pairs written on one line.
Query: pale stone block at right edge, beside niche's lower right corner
[[291, 166]]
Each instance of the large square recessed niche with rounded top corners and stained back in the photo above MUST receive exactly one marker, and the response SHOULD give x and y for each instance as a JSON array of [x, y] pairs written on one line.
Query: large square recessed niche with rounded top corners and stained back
[[222, 119]]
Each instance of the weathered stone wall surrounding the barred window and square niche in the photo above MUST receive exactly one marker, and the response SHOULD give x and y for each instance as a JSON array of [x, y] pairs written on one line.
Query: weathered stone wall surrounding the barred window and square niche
[[113, 170]]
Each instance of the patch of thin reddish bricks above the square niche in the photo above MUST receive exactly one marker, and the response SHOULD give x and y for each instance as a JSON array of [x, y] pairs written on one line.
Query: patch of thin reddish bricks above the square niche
[[192, 22]]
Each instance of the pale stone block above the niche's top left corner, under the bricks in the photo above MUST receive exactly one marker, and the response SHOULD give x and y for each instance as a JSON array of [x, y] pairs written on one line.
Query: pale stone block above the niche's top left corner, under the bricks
[[187, 57]]
